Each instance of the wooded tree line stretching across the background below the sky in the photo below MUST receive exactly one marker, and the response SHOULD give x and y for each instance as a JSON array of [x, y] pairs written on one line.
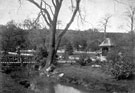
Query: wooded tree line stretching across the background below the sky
[[12, 36]]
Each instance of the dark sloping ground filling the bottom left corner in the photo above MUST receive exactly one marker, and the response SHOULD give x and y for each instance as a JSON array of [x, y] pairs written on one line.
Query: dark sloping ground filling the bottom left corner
[[8, 85]]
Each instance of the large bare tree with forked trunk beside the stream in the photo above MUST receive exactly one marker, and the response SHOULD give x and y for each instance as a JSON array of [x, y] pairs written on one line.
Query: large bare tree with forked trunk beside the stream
[[50, 13]]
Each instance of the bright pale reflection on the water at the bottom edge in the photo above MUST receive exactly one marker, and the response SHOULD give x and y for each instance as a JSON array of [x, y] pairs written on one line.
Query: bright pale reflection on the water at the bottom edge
[[66, 89]]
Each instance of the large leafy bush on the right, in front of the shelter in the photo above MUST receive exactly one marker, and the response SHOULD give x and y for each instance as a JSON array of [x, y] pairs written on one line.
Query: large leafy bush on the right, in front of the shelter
[[120, 66]]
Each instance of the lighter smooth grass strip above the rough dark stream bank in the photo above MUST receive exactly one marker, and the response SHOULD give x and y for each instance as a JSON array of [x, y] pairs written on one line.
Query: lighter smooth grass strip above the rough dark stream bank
[[84, 72]]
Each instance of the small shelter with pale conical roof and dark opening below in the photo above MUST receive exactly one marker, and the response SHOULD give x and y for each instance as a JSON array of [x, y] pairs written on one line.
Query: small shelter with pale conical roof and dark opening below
[[105, 46]]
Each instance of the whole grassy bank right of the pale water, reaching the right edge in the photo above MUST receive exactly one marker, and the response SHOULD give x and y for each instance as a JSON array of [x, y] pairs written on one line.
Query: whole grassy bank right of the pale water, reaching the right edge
[[94, 79]]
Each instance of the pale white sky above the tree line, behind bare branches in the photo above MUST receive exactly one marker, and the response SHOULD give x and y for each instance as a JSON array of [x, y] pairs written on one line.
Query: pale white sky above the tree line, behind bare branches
[[94, 10]]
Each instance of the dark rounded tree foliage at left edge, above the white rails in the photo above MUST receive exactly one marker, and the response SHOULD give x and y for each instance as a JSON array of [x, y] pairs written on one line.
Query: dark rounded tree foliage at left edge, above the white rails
[[12, 36]]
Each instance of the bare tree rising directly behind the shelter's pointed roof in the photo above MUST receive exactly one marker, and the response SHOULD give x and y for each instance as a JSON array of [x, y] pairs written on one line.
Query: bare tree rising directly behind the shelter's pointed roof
[[104, 23]]
